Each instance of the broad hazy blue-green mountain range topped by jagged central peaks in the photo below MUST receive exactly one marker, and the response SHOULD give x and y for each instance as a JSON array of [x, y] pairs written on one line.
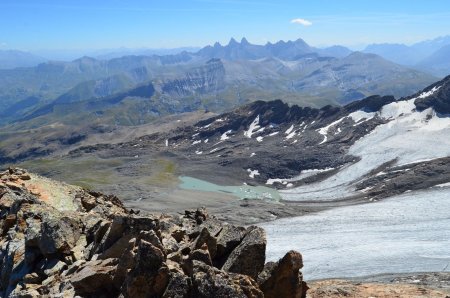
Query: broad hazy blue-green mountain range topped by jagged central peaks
[[215, 78]]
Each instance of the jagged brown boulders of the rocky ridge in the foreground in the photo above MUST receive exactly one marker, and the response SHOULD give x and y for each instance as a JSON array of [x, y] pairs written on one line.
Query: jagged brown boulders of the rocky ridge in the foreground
[[62, 241]]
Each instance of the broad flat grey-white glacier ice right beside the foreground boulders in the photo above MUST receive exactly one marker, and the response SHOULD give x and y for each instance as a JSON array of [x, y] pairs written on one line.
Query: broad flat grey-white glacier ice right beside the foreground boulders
[[406, 233]]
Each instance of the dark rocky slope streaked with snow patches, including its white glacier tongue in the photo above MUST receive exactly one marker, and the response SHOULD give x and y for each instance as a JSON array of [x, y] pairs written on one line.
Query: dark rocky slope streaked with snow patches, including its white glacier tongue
[[367, 149]]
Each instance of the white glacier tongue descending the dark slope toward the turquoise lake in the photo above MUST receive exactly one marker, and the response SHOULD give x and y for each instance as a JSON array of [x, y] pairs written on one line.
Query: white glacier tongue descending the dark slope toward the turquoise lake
[[409, 137]]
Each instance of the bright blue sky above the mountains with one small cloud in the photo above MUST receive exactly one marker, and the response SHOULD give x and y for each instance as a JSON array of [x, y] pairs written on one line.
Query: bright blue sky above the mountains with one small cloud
[[99, 24]]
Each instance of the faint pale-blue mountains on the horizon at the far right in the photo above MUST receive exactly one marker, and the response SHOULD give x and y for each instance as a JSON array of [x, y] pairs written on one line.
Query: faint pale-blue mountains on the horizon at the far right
[[431, 56]]
